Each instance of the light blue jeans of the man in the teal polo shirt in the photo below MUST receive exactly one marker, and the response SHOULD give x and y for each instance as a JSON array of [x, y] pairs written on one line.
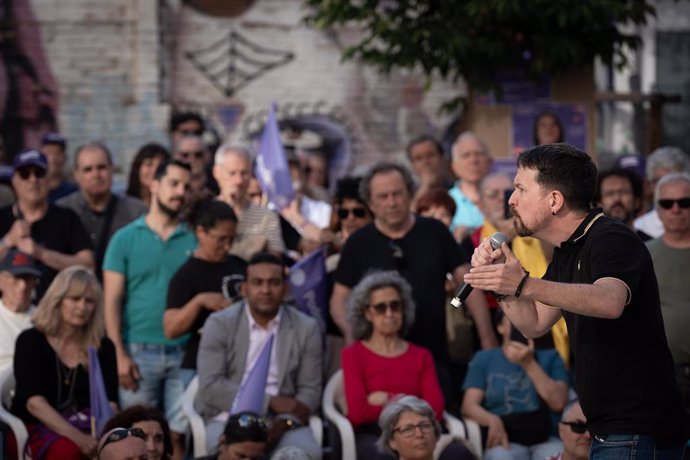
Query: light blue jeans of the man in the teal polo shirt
[[160, 384]]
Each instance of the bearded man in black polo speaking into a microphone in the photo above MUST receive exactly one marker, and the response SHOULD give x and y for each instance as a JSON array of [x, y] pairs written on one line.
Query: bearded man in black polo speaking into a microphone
[[601, 279]]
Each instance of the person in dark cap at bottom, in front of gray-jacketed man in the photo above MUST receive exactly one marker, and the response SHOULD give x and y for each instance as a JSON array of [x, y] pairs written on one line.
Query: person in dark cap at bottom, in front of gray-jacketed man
[[245, 436]]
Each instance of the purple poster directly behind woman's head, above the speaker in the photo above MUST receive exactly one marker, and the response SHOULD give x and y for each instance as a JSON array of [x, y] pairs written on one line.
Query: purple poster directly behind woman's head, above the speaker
[[573, 117]]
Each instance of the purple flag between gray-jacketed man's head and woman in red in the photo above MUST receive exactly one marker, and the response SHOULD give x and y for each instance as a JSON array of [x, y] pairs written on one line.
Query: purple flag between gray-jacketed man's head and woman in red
[[309, 286]]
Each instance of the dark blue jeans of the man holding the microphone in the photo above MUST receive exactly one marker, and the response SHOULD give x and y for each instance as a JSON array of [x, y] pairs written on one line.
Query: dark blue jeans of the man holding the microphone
[[633, 446]]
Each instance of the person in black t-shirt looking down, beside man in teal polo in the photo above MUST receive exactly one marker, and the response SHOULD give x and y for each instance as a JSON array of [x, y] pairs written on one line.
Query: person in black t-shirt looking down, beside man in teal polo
[[208, 281]]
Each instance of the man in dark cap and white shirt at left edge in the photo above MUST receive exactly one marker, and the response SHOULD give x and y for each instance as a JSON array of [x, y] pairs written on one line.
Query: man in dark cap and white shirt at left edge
[[18, 278]]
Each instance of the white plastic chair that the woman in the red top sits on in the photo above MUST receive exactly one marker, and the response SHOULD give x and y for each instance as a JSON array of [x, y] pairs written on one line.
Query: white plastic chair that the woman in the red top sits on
[[334, 393]]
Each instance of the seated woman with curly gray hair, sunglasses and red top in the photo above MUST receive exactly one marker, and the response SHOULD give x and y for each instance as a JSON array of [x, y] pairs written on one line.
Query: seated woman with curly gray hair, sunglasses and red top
[[381, 365]]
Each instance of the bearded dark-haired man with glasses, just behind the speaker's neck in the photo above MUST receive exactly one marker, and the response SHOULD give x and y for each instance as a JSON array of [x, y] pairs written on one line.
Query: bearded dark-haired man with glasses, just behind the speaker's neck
[[620, 196]]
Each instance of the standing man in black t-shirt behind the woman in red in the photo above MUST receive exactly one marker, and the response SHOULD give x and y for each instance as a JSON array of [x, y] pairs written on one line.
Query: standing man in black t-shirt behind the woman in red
[[422, 250]]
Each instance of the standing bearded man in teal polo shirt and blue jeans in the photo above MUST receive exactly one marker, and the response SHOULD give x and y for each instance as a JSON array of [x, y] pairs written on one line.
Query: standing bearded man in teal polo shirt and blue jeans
[[140, 261]]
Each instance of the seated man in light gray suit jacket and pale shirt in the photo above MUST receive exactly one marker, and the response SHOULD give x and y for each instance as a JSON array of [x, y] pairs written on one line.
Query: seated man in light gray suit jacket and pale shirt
[[231, 342]]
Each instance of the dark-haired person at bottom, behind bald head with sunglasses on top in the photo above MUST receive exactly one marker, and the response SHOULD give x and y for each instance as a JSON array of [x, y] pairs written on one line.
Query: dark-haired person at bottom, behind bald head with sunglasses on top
[[151, 424]]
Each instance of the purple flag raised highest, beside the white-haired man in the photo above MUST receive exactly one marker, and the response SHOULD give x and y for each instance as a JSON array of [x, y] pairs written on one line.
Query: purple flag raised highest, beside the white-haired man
[[272, 169]]
